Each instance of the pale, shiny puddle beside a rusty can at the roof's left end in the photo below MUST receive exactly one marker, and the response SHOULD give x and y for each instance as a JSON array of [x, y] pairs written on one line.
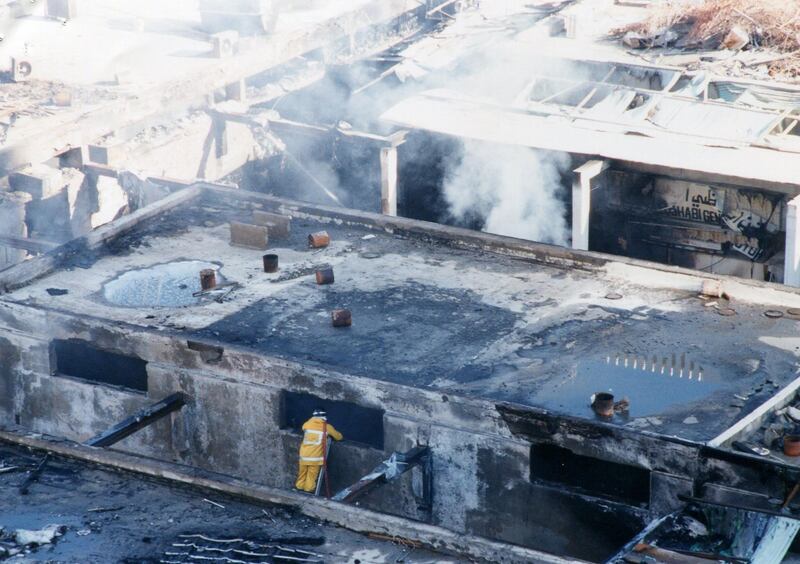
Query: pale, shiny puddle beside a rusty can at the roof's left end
[[165, 285]]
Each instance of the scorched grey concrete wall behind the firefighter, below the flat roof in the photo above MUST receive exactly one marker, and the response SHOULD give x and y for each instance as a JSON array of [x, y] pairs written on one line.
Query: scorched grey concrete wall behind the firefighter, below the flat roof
[[231, 426]]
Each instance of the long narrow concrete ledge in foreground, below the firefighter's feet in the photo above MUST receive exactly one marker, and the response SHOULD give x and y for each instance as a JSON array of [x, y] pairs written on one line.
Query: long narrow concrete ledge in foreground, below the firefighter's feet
[[346, 516]]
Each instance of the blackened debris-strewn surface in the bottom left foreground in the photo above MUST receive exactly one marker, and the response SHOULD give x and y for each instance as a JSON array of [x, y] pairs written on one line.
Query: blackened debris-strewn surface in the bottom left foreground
[[104, 516]]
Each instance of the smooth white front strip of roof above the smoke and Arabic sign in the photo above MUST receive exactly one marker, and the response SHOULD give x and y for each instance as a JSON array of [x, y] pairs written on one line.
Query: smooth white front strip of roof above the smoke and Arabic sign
[[445, 113]]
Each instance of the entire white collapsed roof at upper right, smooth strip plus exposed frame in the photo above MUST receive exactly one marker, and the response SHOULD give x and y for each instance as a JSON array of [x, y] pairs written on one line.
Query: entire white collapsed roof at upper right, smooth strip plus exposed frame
[[661, 119]]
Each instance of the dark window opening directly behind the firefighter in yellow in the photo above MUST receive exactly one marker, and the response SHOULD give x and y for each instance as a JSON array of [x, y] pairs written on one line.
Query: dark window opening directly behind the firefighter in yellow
[[362, 425]]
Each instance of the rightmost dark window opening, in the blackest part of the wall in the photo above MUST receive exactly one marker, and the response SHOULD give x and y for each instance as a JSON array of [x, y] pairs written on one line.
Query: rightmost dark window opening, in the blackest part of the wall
[[557, 465]]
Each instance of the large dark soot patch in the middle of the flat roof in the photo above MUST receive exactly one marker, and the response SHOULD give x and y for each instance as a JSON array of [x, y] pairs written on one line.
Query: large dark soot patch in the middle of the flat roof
[[377, 343]]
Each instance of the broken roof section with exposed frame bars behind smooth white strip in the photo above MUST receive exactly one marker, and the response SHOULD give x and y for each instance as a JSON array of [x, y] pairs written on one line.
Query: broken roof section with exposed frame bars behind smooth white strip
[[657, 100]]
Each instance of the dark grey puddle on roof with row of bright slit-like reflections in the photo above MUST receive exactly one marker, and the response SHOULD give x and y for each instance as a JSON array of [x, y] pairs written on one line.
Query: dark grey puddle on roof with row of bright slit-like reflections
[[652, 385]]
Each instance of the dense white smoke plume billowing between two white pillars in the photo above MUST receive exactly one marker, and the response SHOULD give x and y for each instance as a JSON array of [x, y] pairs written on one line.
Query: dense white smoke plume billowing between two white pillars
[[517, 191]]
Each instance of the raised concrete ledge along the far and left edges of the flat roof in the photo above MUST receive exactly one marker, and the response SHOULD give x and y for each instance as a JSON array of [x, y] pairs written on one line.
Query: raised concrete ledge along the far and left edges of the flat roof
[[647, 274]]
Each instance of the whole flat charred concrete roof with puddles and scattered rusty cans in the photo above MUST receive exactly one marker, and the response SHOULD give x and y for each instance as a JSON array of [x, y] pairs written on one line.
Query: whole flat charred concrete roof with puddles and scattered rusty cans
[[438, 308]]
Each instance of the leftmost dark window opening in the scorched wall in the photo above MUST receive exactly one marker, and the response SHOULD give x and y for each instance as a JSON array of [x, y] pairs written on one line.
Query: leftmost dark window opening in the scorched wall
[[78, 359]]
